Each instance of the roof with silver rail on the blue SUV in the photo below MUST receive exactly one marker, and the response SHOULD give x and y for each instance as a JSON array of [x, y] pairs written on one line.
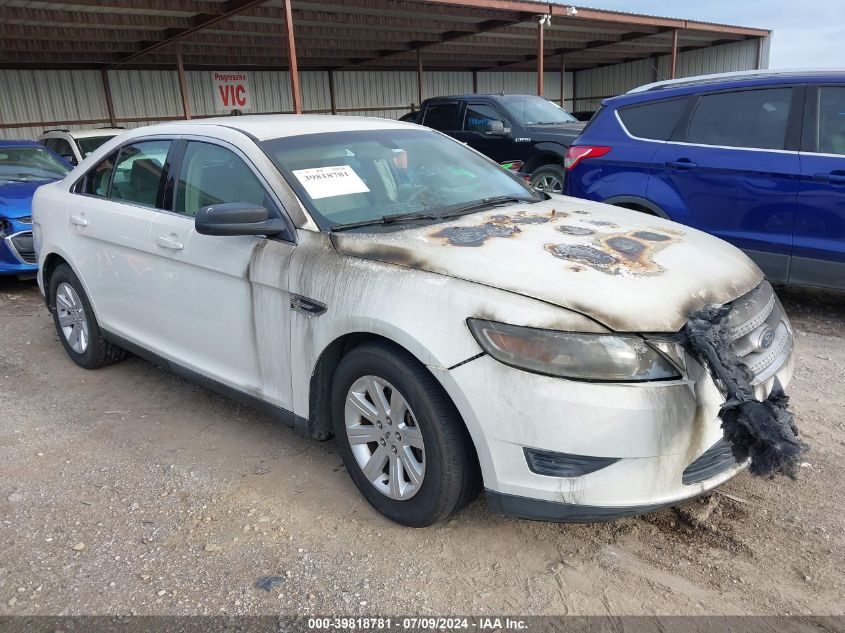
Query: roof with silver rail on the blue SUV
[[741, 79]]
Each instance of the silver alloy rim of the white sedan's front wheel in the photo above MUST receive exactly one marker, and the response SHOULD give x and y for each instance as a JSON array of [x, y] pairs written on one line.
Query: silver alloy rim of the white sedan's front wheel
[[385, 438]]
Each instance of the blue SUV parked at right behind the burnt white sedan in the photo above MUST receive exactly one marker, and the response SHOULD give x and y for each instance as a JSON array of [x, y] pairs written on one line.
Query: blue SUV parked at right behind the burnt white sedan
[[757, 159]]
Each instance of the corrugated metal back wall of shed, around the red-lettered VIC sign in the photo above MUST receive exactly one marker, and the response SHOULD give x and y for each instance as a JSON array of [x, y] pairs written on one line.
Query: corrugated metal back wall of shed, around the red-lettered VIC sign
[[140, 97]]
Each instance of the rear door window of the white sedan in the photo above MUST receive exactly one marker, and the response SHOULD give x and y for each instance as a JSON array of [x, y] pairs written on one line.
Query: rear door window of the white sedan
[[138, 172]]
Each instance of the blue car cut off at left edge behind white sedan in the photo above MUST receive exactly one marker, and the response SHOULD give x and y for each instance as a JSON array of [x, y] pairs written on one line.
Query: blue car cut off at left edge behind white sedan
[[24, 166]]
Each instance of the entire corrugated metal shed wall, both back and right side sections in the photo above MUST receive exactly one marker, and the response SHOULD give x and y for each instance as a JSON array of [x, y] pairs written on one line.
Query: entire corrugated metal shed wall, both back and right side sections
[[52, 98]]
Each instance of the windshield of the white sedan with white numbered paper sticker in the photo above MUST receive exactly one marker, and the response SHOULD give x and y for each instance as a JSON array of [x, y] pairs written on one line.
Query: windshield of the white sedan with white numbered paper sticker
[[350, 177]]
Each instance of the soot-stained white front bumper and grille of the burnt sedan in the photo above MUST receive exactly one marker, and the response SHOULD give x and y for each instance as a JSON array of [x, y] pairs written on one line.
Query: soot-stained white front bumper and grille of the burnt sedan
[[662, 441]]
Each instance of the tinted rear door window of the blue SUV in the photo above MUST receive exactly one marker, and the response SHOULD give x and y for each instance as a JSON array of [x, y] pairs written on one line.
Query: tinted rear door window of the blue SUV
[[750, 118]]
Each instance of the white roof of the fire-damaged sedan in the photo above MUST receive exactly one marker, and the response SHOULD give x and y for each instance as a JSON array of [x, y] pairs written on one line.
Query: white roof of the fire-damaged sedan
[[267, 126]]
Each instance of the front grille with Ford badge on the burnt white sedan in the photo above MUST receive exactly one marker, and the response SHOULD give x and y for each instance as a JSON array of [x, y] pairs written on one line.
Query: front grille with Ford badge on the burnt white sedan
[[762, 335]]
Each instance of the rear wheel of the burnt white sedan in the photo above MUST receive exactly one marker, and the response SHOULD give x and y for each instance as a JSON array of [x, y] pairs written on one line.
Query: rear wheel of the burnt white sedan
[[75, 322]]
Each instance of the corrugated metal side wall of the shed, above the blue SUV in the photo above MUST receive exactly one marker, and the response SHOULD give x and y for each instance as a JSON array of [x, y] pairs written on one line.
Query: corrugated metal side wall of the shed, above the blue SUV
[[599, 83]]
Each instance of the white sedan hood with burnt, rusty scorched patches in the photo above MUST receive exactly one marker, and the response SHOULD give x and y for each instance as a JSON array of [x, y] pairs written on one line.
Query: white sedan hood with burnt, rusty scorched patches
[[627, 270]]
